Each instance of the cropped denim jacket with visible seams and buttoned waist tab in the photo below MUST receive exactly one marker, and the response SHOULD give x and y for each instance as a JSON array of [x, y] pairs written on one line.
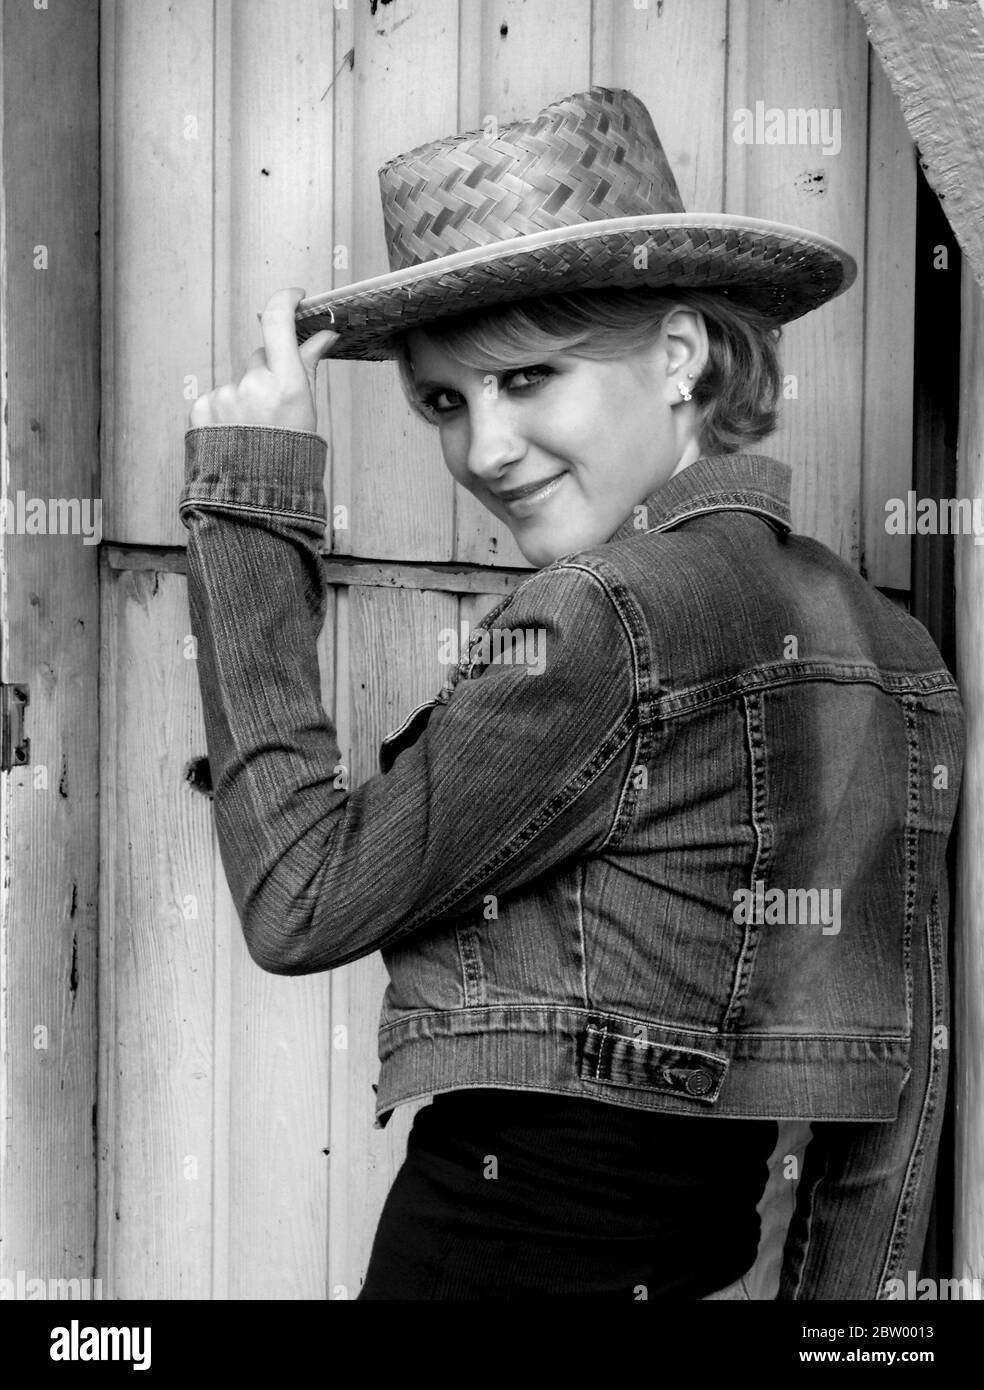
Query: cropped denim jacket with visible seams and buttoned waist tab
[[664, 839]]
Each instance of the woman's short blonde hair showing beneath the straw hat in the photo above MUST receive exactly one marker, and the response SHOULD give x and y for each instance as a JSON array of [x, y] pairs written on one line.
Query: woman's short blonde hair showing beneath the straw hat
[[737, 391]]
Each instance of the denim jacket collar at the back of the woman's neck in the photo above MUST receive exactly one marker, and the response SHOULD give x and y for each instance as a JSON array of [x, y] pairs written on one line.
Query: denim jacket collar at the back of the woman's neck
[[716, 483]]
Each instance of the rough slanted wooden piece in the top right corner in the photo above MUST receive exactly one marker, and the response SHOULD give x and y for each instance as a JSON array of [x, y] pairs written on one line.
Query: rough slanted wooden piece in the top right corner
[[935, 60]]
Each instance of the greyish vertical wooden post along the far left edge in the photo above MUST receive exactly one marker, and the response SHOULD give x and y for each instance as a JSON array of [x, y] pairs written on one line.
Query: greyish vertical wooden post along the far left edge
[[49, 640]]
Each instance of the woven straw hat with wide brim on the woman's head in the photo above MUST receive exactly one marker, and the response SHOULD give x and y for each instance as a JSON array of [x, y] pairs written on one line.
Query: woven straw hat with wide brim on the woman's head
[[580, 197]]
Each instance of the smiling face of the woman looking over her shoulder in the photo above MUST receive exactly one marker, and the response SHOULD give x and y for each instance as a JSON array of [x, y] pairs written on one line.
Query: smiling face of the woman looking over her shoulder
[[564, 450]]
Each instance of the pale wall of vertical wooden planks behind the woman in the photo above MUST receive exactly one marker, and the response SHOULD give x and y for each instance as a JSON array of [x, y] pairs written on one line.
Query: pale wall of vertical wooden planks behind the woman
[[241, 142]]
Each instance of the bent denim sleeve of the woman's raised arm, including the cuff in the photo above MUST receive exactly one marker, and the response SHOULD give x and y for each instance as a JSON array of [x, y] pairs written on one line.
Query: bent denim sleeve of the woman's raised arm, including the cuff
[[523, 769]]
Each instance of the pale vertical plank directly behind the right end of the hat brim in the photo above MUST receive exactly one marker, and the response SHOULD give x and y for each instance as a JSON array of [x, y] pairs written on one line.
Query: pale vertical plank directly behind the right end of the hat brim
[[796, 55]]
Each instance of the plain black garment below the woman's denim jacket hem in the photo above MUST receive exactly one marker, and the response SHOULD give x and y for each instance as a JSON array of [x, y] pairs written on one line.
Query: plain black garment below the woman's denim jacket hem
[[527, 1195]]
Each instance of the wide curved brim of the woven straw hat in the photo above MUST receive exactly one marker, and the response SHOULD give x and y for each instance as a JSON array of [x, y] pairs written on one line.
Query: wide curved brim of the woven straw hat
[[783, 272]]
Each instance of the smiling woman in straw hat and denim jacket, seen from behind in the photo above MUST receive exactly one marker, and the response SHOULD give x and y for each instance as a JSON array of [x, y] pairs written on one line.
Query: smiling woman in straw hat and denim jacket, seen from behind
[[662, 864]]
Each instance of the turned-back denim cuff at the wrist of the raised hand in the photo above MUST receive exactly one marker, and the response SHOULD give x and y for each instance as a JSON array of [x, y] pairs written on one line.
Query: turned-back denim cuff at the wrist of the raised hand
[[256, 468]]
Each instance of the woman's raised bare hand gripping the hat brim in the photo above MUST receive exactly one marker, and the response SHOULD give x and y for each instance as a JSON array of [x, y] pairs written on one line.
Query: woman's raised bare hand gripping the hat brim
[[279, 384]]
